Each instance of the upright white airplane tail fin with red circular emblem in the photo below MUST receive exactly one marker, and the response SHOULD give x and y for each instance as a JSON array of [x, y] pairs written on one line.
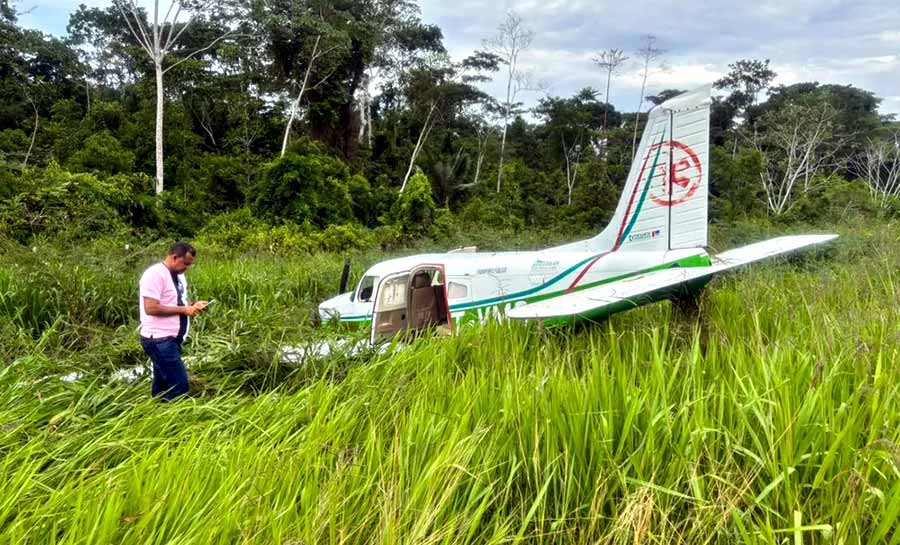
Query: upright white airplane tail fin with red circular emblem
[[665, 200]]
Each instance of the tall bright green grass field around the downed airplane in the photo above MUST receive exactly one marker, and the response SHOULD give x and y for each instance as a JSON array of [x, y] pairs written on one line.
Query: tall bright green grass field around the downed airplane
[[774, 419]]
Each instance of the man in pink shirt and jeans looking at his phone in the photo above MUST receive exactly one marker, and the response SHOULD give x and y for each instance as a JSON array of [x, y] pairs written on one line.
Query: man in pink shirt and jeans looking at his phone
[[165, 317]]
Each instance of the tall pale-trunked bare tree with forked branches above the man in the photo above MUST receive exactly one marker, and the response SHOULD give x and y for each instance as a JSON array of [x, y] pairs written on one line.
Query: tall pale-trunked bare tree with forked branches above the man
[[157, 39]]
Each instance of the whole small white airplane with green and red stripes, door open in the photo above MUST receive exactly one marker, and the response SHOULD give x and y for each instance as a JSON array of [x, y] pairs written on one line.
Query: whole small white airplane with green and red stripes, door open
[[652, 249]]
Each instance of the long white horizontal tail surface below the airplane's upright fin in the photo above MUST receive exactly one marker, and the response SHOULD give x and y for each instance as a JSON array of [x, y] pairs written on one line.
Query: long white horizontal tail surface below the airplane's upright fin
[[646, 287]]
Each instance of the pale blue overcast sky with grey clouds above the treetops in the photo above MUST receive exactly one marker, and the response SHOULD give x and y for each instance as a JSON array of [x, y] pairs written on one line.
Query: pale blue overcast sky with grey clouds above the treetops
[[828, 41]]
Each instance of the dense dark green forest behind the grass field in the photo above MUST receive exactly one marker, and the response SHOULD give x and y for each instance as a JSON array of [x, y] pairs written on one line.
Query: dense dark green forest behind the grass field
[[281, 124]]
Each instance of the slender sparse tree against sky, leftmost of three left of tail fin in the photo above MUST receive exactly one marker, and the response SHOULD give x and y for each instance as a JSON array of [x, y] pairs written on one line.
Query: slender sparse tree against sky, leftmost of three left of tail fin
[[512, 38]]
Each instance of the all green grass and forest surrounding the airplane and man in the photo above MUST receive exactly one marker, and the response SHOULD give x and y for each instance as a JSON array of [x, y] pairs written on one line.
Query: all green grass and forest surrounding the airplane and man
[[772, 420]]
